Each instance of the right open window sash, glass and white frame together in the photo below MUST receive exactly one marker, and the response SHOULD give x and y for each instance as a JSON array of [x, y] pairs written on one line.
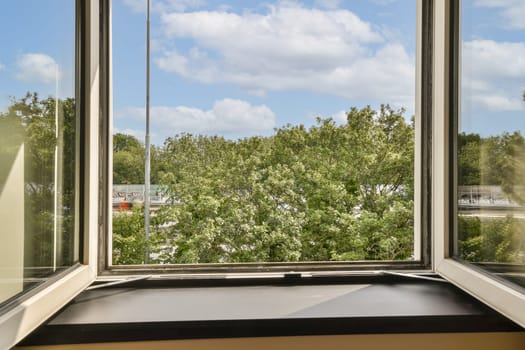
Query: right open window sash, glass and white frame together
[[485, 251]]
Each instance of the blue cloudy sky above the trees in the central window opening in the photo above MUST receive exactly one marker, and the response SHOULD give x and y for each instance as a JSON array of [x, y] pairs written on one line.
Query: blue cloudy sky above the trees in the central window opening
[[239, 68]]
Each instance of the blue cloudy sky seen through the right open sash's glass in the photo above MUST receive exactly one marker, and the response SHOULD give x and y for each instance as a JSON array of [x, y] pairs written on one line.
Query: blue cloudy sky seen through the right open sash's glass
[[493, 66]]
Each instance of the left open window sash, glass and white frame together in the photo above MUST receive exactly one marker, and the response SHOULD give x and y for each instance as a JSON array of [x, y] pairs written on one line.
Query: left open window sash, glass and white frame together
[[43, 262]]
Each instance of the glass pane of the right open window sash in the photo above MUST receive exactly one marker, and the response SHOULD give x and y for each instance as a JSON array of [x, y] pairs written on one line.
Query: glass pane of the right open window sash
[[490, 143]]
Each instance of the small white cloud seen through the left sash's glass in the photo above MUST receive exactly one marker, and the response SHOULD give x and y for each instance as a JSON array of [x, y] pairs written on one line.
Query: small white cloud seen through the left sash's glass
[[37, 67]]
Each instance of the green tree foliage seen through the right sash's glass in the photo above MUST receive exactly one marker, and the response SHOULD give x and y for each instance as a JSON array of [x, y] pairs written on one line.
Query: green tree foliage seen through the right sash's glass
[[493, 161]]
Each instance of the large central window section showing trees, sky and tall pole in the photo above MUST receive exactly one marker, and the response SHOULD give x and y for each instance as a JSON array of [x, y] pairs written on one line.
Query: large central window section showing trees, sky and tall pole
[[282, 131]]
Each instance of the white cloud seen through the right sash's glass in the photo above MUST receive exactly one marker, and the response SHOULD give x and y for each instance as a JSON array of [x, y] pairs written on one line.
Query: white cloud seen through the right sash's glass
[[493, 74]]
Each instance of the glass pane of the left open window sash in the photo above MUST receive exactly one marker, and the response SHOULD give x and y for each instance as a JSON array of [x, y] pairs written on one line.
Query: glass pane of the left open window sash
[[38, 143]]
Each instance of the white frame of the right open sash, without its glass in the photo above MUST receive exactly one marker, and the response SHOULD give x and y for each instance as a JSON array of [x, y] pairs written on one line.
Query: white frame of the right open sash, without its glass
[[504, 299]]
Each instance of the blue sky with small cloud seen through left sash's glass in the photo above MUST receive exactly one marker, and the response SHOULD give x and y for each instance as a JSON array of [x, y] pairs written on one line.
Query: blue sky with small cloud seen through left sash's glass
[[37, 41]]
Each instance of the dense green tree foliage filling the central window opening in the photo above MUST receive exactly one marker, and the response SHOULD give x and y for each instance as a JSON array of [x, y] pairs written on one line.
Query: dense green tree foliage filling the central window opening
[[328, 192]]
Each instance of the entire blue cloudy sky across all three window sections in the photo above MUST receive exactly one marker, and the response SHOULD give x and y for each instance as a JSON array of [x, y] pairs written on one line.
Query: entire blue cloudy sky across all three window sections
[[241, 68]]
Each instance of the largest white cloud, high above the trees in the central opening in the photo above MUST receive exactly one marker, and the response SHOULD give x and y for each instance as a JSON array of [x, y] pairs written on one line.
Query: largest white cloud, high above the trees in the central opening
[[290, 48]]
